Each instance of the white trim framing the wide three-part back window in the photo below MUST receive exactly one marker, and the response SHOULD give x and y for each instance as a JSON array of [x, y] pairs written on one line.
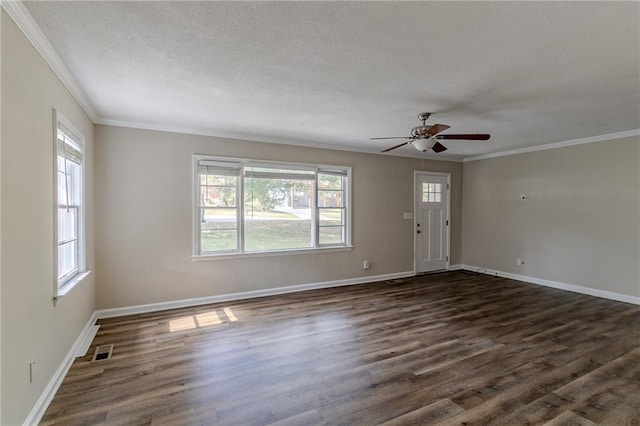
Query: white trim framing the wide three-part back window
[[243, 163]]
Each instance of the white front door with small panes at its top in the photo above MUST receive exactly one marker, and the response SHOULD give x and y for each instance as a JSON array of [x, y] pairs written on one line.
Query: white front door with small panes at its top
[[431, 222]]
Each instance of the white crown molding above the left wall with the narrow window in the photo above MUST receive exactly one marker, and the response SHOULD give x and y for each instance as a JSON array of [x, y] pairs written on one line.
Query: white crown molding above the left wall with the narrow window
[[25, 22]]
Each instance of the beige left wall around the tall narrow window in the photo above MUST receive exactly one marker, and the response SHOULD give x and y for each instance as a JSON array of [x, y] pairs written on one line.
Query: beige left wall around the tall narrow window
[[31, 325]]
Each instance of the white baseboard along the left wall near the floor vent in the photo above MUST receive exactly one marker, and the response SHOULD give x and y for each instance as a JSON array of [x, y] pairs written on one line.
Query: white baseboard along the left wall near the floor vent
[[50, 390]]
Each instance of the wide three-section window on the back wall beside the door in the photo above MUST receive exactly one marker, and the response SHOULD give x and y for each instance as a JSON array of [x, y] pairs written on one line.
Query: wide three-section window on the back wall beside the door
[[246, 206]]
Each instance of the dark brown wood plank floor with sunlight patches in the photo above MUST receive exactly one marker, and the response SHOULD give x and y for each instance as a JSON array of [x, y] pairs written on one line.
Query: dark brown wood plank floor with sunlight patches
[[451, 348]]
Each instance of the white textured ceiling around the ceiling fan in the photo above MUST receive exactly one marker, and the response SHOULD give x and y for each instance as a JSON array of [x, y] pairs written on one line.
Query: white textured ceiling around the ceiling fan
[[338, 73]]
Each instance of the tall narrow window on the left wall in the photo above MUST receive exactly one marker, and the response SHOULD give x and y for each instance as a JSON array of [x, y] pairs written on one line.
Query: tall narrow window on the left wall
[[70, 203]]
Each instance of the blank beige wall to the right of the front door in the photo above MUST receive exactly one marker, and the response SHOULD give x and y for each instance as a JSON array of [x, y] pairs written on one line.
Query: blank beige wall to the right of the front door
[[578, 225]]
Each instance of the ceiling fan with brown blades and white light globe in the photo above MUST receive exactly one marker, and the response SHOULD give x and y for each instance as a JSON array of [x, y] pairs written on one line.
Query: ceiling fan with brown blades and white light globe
[[426, 137]]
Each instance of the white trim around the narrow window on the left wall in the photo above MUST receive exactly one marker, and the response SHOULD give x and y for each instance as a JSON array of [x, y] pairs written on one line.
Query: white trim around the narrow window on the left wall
[[61, 288]]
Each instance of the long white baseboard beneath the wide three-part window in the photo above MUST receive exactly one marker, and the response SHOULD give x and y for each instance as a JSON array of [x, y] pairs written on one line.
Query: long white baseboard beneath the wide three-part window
[[162, 306]]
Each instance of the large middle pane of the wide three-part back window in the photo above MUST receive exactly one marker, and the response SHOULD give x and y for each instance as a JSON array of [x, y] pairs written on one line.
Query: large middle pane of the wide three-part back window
[[277, 211]]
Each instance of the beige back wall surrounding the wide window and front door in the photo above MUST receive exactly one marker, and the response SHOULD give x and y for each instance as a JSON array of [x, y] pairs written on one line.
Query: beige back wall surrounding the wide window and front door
[[144, 219]]
